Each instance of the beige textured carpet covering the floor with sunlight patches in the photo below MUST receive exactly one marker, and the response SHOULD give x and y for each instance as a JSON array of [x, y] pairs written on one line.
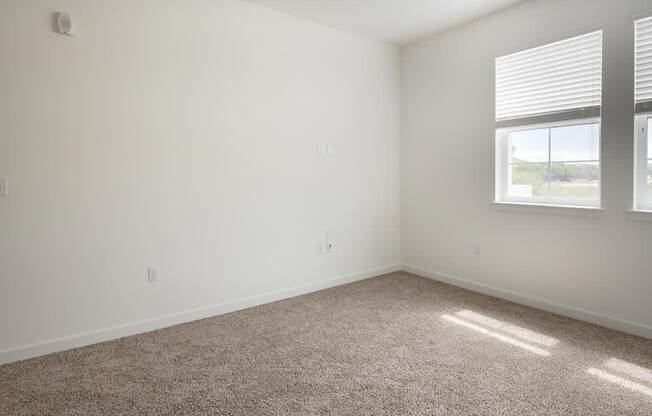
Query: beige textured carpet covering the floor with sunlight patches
[[393, 345]]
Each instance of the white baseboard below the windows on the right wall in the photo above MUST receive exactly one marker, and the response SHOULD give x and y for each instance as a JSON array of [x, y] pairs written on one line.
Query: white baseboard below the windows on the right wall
[[575, 313]]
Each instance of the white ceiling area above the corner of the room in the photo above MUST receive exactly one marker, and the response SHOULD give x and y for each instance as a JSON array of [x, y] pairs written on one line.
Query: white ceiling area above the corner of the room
[[394, 21]]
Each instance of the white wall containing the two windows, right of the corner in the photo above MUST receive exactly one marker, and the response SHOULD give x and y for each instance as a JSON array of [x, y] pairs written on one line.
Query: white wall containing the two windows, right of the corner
[[599, 269]]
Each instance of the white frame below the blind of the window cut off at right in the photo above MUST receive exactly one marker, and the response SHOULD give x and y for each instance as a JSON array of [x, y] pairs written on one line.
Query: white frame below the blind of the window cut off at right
[[641, 161]]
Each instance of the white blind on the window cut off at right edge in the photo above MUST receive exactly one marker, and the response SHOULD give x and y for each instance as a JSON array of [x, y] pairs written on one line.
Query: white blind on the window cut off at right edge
[[643, 72]]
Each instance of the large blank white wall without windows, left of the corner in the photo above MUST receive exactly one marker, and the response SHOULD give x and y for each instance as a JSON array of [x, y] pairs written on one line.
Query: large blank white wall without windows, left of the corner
[[183, 134]]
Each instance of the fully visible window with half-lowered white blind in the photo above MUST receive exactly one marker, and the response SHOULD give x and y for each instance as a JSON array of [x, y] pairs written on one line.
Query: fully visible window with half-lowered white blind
[[548, 103]]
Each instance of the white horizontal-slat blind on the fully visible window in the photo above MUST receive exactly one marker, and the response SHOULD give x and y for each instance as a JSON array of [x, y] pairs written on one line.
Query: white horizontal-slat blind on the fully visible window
[[559, 81]]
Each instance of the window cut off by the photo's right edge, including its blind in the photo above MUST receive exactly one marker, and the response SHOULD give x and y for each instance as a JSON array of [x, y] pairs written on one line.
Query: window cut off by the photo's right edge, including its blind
[[643, 94]]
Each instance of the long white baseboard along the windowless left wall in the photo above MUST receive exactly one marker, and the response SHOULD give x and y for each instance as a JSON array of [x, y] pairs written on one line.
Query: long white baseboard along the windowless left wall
[[107, 334]]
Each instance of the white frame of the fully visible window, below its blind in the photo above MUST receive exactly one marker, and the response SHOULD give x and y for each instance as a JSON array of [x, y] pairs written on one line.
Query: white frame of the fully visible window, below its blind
[[502, 166]]
